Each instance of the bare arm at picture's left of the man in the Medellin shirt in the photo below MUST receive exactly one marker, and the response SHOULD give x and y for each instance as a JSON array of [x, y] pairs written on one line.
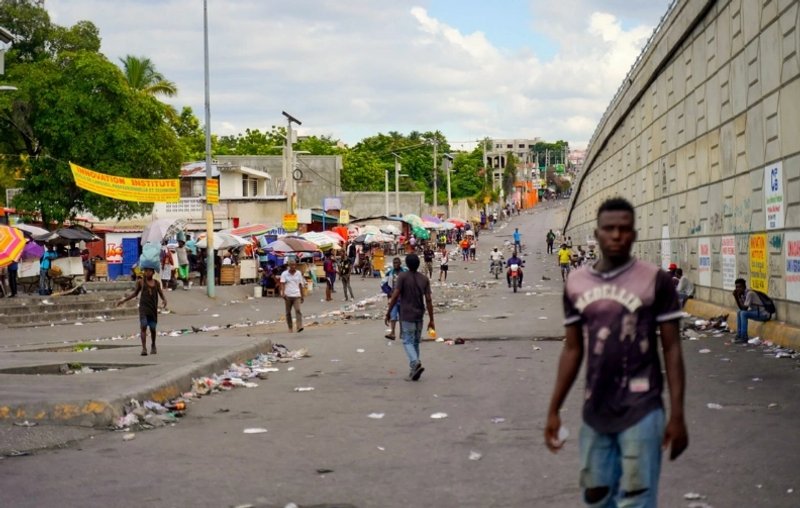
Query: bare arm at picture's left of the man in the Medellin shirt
[[569, 365]]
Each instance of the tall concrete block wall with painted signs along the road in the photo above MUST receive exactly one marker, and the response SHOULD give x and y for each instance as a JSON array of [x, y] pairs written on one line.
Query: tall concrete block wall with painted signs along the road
[[709, 110]]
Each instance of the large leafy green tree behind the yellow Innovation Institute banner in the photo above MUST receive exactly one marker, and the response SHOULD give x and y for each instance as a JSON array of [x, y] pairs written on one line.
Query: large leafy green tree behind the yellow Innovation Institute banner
[[79, 108]]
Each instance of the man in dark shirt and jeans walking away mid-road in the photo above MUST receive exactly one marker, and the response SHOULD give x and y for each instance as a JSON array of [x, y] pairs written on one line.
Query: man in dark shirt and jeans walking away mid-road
[[413, 291]]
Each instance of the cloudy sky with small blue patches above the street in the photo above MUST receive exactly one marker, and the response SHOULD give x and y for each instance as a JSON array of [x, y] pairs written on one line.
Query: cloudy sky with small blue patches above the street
[[353, 68]]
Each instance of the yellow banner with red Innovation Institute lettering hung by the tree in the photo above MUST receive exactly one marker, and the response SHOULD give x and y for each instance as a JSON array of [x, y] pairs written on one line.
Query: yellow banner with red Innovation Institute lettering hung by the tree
[[141, 190]]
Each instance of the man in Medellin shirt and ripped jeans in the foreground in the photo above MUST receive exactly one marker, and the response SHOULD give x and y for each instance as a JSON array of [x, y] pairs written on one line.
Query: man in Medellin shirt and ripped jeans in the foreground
[[616, 308]]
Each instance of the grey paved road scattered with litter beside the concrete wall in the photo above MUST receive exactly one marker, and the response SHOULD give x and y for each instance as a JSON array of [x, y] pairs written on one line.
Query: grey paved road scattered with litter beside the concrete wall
[[321, 447]]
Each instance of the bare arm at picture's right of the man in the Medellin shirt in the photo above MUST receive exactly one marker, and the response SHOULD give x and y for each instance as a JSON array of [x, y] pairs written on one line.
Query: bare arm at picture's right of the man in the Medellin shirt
[[676, 436]]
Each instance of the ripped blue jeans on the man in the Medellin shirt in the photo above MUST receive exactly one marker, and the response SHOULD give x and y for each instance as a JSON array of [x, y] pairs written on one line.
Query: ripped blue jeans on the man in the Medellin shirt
[[624, 462]]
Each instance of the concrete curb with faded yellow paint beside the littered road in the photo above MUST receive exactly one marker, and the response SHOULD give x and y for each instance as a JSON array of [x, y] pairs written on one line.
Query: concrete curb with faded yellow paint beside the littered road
[[102, 413]]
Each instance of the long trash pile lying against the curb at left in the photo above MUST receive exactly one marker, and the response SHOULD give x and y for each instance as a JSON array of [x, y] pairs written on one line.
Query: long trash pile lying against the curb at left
[[150, 414]]
